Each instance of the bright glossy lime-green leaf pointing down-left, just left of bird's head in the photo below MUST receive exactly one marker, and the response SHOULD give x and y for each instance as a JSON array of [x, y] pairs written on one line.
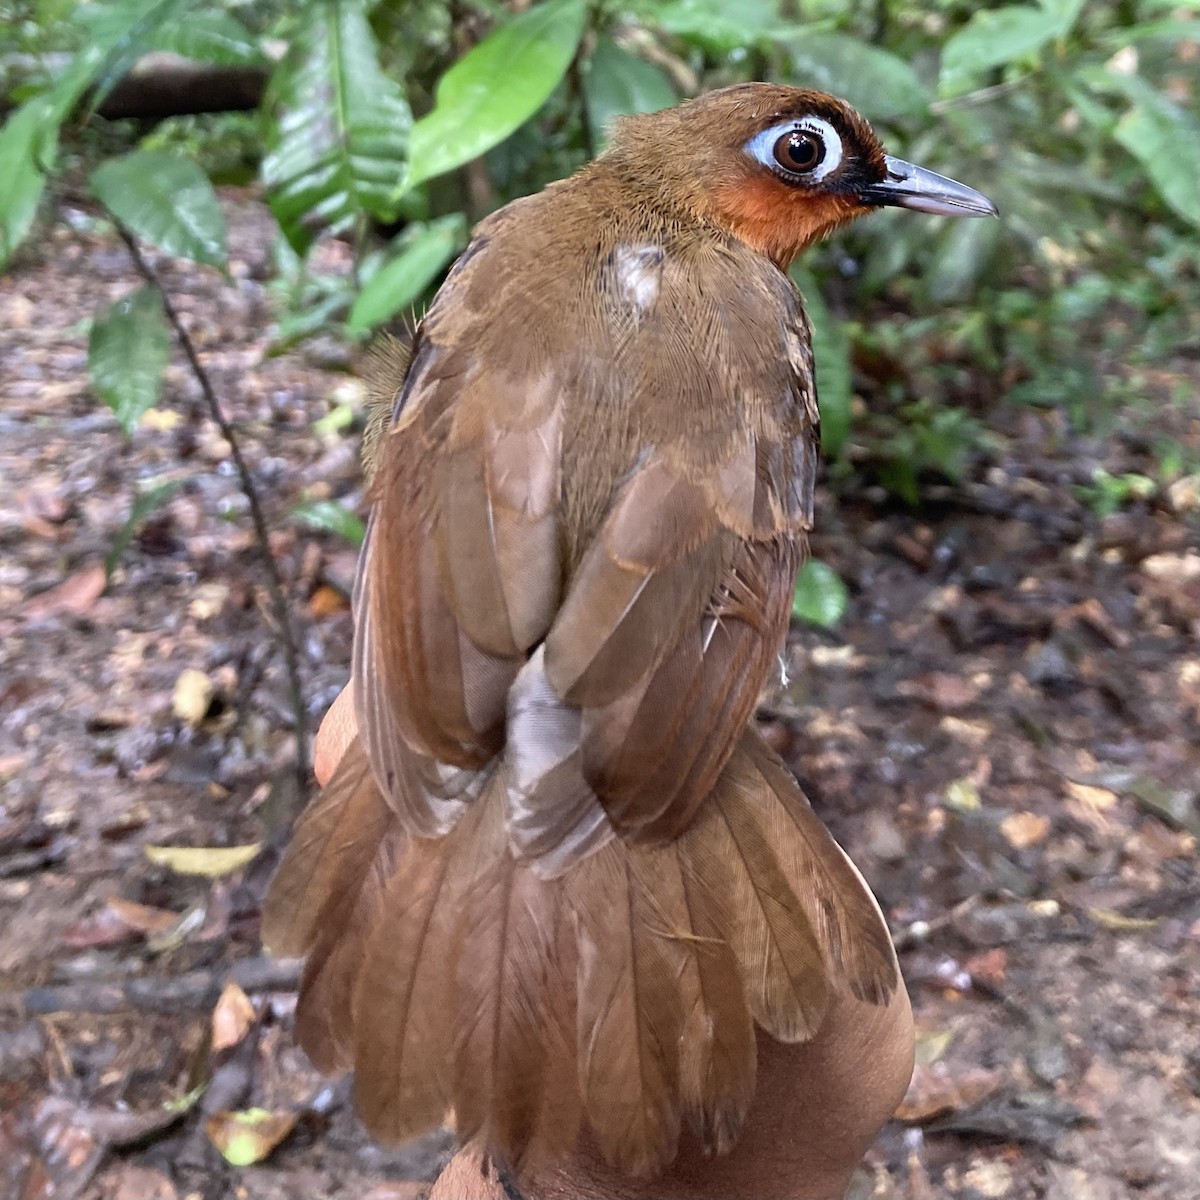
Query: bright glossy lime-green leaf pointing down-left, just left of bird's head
[[497, 87]]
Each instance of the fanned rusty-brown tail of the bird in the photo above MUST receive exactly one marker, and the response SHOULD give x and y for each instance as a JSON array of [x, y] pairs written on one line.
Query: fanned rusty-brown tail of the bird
[[622, 993]]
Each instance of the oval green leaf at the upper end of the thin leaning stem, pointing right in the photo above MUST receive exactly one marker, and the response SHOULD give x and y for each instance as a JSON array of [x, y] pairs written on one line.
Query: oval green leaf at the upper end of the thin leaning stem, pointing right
[[166, 200]]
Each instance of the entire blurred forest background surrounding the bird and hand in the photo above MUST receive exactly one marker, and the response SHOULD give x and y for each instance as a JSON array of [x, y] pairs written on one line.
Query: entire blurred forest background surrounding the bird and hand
[[208, 211]]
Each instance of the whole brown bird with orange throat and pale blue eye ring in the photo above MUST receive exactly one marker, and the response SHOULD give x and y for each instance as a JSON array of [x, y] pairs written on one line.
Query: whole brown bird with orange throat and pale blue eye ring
[[559, 880]]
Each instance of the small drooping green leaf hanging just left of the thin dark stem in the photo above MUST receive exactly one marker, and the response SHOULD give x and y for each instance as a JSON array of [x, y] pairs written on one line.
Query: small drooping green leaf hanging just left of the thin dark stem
[[128, 353]]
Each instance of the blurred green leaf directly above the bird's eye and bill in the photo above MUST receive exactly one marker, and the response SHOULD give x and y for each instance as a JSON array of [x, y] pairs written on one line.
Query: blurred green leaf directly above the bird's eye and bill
[[874, 81]]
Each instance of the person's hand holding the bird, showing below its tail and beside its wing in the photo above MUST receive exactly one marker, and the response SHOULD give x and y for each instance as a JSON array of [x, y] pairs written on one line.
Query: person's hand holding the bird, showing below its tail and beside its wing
[[818, 1107]]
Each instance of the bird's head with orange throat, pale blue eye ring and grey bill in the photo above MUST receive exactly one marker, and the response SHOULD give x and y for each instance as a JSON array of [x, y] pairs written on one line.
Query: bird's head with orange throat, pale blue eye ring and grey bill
[[778, 167]]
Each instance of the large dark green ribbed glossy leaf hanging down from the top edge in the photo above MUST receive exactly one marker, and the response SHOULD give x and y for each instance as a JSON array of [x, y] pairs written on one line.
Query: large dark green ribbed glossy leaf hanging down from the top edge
[[338, 147]]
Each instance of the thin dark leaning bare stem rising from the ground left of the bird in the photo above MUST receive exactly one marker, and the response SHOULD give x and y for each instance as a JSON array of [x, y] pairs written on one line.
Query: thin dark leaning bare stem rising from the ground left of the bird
[[262, 539]]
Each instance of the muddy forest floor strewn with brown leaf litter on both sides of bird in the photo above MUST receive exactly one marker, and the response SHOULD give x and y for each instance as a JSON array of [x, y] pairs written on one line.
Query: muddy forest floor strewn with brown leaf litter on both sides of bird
[[1004, 733]]
